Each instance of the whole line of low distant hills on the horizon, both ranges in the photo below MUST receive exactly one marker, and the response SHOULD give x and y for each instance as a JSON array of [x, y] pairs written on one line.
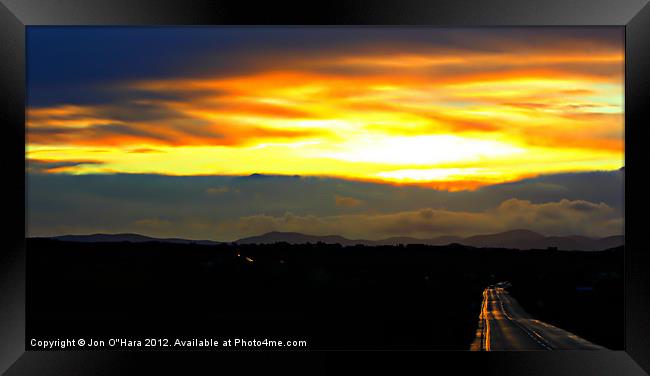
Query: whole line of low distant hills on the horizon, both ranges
[[517, 239]]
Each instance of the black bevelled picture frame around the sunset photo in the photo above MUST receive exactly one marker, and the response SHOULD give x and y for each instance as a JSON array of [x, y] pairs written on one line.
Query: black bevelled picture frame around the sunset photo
[[16, 15]]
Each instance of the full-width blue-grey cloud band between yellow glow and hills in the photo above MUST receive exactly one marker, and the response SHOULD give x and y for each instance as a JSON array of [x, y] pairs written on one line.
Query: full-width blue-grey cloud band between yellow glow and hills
[[230, 207]]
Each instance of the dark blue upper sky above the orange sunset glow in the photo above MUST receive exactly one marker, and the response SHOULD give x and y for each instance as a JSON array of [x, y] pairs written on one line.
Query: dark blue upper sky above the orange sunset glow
[[67, 64]]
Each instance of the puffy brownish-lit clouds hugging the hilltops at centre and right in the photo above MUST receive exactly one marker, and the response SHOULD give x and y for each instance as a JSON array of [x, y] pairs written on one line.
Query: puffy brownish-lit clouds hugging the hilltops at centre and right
[[559, 218]]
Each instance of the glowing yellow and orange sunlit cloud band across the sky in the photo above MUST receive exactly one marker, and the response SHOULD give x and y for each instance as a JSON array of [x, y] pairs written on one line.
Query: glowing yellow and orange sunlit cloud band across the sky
[[447, 120]]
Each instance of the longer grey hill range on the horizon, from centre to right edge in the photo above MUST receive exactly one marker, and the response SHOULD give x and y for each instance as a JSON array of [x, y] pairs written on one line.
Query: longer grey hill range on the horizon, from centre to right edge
[[519, 239]]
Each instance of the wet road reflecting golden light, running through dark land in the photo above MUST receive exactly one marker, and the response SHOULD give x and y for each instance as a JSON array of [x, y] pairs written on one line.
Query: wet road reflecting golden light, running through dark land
[[504, 325]]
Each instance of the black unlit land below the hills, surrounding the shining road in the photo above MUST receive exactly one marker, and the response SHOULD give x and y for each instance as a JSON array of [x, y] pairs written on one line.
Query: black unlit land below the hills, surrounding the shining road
[[334, 297]]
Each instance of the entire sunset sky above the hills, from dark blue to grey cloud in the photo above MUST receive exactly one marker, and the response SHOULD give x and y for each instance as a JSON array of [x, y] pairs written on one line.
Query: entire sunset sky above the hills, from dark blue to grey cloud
[[219, 133]]
